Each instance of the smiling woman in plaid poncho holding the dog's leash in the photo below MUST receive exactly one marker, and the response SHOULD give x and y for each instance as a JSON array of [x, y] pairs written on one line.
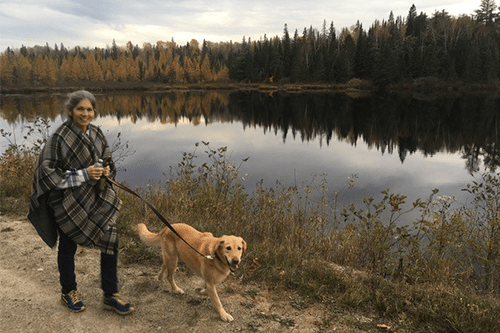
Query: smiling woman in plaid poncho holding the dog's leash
[[66, 201]]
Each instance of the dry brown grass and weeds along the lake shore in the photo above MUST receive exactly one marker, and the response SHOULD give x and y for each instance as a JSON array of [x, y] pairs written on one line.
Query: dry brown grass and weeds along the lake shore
[[439, 274]]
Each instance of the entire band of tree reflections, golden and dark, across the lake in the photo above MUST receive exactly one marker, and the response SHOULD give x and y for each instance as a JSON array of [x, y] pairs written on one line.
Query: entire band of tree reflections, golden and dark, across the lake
[[402, 125]]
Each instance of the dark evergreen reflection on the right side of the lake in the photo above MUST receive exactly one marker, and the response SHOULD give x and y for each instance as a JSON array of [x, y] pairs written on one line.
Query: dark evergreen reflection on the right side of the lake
[[398, 124]]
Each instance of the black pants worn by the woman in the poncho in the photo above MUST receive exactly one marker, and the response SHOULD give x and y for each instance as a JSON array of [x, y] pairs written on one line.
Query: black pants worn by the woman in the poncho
[[66, 265]]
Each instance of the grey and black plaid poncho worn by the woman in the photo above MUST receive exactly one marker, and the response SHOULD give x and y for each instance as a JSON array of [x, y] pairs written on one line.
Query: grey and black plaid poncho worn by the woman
[[84, 213]]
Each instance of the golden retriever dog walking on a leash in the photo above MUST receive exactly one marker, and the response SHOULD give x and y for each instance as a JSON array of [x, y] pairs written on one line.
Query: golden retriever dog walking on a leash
[[226, 252]]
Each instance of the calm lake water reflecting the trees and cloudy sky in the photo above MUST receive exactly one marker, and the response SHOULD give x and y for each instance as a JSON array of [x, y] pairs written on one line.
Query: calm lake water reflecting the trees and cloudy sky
[[409, 145]]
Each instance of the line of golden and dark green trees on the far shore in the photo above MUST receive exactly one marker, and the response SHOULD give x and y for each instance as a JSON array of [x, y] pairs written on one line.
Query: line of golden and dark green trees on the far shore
[[465, 48]]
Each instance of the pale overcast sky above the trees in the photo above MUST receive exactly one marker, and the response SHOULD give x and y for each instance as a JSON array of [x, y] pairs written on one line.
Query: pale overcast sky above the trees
[[97, 22]]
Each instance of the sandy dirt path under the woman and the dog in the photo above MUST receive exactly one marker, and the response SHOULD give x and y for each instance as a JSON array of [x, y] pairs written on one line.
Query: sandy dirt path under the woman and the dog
[[30, 297]]
